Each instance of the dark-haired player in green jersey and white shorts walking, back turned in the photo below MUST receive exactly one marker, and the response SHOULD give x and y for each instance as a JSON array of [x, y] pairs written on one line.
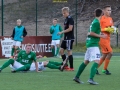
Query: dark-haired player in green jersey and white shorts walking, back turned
[[93, 52]]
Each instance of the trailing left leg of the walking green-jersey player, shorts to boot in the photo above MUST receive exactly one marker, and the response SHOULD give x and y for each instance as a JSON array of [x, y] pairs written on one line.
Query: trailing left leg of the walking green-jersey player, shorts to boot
[[82, 67]]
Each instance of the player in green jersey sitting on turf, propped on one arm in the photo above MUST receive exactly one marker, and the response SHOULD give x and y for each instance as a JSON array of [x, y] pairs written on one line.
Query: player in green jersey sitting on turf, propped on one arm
[[24, 61]]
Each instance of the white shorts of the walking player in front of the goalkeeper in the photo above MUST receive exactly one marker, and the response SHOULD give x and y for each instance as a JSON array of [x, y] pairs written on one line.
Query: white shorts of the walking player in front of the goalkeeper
[[92, 53]]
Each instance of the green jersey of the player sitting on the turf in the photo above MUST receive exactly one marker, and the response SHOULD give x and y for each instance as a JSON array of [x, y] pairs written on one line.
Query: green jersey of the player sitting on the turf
[[25, 58]]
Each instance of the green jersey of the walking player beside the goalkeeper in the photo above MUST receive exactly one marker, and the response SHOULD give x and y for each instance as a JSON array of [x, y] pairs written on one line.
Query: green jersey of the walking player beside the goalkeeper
[[92, 41]]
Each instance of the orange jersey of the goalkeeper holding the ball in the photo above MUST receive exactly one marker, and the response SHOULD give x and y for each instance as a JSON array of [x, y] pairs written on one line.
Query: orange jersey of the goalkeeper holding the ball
[[105, 22]]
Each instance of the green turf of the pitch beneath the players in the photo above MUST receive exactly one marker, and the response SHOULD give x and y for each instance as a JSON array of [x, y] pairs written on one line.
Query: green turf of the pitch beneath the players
[[55, 80]]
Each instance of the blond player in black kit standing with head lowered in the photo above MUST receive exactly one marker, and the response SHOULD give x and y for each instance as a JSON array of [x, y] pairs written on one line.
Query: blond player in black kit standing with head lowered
[[67, 43]]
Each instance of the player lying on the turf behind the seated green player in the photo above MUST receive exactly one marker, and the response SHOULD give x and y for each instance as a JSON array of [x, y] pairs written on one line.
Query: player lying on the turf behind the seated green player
[[43, 64]]
